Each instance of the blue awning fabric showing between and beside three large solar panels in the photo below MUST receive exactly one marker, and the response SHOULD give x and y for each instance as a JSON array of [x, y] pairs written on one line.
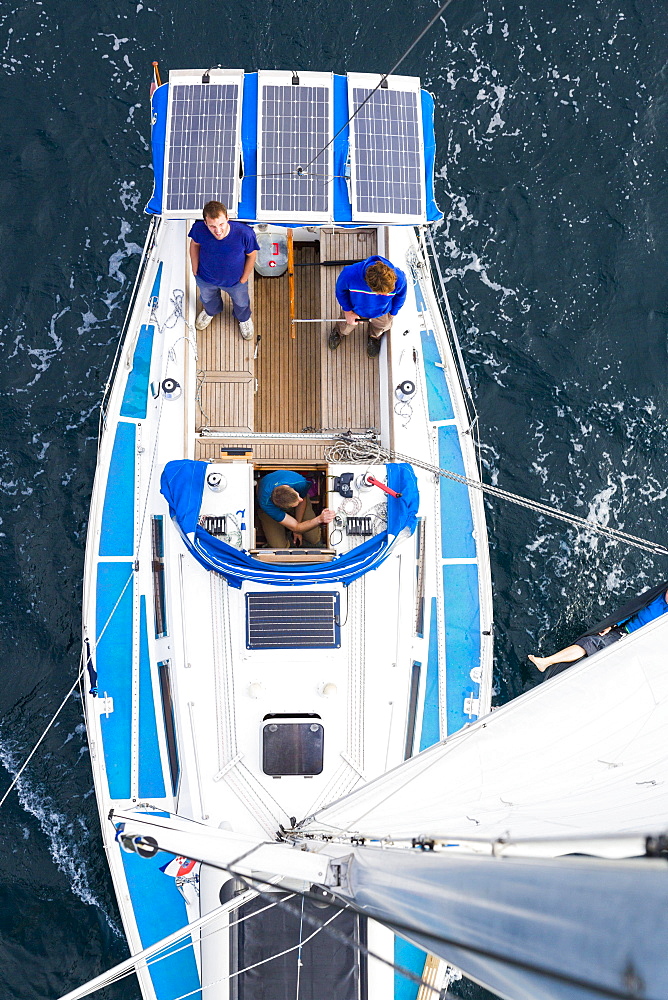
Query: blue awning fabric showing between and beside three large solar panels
[[247, 210]]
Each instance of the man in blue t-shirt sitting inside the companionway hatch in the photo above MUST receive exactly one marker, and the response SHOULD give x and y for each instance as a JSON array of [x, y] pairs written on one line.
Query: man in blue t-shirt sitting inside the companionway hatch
[[283, 502]]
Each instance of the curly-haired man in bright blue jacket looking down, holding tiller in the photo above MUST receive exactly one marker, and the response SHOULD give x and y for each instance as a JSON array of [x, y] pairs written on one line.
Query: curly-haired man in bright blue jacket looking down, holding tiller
[[374, 289]]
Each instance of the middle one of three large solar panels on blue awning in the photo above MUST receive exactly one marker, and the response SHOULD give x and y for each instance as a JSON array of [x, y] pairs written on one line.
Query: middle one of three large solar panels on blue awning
[[294, 127]]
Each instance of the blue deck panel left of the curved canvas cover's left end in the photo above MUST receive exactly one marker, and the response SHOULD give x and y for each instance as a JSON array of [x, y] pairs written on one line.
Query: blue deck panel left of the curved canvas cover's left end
[[118, 525]]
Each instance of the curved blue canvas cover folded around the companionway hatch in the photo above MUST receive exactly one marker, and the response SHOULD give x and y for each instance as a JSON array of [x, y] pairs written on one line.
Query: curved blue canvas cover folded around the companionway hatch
[[182, 484]]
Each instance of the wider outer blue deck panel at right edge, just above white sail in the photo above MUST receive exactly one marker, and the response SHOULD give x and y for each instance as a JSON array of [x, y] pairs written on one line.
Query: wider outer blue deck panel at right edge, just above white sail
[[462, 639]]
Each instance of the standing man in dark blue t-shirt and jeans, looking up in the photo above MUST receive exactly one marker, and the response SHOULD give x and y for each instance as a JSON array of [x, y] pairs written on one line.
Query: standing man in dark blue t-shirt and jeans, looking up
[[222, 254]]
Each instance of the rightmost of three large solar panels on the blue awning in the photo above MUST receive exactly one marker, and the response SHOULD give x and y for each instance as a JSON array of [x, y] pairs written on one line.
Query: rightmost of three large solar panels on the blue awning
[[387, 153]]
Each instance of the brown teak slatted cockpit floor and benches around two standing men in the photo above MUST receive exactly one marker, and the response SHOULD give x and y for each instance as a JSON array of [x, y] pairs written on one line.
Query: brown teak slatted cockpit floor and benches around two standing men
[[294, 385]]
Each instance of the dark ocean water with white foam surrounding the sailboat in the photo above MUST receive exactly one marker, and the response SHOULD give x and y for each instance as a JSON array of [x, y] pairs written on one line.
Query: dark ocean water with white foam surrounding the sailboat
[[551, 123]]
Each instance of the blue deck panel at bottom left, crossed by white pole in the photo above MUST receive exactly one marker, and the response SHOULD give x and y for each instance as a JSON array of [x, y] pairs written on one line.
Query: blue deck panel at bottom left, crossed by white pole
[[160, 910]]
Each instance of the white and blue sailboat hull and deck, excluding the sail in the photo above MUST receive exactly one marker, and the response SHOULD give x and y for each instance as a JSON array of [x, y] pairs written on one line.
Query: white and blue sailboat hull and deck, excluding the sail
[[236, 686]]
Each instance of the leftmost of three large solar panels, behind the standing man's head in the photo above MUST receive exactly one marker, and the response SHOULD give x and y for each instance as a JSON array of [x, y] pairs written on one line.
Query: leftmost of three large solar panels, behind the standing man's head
[[202, 152]]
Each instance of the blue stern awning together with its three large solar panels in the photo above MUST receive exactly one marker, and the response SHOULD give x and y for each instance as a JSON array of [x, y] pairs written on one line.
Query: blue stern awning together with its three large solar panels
[[294, 147]]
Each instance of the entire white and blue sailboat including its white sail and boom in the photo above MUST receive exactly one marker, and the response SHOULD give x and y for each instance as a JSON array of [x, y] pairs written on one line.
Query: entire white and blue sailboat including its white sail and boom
[[302, 788]]
